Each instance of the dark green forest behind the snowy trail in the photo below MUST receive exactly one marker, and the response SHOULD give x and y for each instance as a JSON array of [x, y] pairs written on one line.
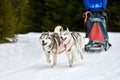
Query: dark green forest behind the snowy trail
[[23, 16]]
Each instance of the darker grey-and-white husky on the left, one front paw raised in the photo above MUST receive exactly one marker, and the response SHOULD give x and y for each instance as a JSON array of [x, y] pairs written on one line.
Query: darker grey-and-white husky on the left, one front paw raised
[[50, 43]]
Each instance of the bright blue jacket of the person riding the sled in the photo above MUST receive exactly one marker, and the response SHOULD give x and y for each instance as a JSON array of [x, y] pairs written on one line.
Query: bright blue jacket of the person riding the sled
[[95, 5]]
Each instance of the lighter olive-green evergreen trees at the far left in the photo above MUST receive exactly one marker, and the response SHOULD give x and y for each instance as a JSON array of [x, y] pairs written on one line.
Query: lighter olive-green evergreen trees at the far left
[[12, 18]]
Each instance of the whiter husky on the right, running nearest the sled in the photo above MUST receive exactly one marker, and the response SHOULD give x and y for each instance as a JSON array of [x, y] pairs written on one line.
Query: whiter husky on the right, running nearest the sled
[[73, 43]]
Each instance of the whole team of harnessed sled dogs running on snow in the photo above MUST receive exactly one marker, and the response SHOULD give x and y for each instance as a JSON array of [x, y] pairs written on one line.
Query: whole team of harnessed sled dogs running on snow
[[60, 41]]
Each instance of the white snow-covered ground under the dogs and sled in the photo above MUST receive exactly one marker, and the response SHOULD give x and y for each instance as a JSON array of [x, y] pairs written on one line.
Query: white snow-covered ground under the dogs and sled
[[25, 60]]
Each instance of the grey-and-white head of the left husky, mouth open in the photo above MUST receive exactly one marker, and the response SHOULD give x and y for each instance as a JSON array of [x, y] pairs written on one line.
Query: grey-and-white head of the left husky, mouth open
[[45, 39]]
